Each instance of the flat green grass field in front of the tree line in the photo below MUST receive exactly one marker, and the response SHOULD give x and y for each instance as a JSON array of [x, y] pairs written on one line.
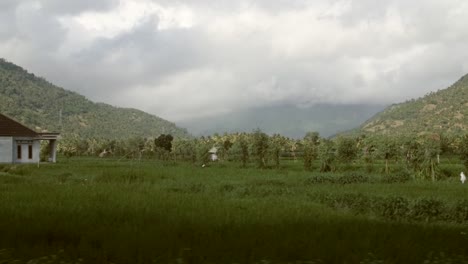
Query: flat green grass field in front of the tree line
[[86, 210]]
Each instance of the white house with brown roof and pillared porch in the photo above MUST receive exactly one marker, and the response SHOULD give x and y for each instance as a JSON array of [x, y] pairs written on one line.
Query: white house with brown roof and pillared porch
[[19, 144]]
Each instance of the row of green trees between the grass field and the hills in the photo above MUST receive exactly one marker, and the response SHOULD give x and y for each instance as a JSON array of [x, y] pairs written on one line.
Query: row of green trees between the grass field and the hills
[[419, 154]]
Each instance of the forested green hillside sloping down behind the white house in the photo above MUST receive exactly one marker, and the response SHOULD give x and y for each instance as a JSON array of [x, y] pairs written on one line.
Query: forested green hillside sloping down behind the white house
[[43, 106]]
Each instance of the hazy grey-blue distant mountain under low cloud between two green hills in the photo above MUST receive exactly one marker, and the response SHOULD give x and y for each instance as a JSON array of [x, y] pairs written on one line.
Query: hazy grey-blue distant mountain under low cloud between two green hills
[[287, 120]]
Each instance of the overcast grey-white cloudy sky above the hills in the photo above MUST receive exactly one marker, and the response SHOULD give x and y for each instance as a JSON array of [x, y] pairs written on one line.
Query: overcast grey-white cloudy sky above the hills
[[181, 59]]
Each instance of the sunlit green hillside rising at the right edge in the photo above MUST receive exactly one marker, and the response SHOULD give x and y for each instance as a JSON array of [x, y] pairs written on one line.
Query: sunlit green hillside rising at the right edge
[[442, 111]]
